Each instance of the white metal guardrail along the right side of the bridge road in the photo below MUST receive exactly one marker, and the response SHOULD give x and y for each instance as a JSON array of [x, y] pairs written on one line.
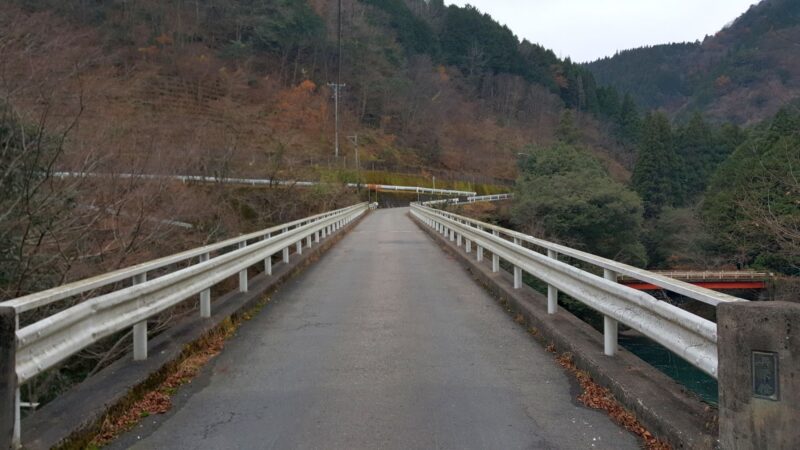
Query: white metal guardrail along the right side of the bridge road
[[688, 335]]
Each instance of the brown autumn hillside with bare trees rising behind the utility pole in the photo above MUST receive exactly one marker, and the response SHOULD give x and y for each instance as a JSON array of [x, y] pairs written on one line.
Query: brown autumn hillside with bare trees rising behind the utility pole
[[241, 87]]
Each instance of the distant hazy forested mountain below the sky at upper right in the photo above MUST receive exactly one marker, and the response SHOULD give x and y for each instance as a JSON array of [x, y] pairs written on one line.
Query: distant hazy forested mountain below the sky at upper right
[[742, 74]]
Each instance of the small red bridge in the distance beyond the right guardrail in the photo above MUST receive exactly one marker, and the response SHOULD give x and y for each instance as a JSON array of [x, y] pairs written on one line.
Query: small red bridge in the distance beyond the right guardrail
[[726, 280]]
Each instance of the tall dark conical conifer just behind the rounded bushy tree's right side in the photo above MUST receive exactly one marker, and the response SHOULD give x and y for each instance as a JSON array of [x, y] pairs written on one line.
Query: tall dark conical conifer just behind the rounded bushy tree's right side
[[655, 176]]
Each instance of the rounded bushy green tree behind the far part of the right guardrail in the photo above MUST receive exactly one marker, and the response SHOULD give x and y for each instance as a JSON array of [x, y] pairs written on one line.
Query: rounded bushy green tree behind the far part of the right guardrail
[[566, 193]]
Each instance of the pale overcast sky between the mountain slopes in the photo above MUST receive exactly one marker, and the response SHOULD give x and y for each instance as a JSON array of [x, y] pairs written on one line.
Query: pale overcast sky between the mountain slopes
[[586, 30]]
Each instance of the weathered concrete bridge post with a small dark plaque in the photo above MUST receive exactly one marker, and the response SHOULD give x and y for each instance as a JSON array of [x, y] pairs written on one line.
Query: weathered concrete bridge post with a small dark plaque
[[759, 375]]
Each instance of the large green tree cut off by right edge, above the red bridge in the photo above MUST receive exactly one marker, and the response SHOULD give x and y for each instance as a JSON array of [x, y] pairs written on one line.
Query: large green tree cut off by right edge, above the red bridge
[[752, 206]]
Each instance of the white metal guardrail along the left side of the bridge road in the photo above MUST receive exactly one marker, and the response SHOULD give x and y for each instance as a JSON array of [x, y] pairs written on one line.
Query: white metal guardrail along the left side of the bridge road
[[48, 341]]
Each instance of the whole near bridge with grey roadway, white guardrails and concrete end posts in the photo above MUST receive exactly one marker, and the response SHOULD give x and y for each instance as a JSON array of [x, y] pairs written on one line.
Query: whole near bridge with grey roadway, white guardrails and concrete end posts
[[387, 341]]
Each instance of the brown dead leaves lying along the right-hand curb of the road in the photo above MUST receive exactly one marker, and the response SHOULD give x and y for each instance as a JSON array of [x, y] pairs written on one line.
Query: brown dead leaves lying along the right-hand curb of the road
[[597, 397]]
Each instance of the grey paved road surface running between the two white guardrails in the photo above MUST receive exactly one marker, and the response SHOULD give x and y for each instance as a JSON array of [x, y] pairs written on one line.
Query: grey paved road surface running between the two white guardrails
[[384, 343]]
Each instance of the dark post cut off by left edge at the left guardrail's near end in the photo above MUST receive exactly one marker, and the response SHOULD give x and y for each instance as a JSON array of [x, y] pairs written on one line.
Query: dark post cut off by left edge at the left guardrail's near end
[[9, 391]]
